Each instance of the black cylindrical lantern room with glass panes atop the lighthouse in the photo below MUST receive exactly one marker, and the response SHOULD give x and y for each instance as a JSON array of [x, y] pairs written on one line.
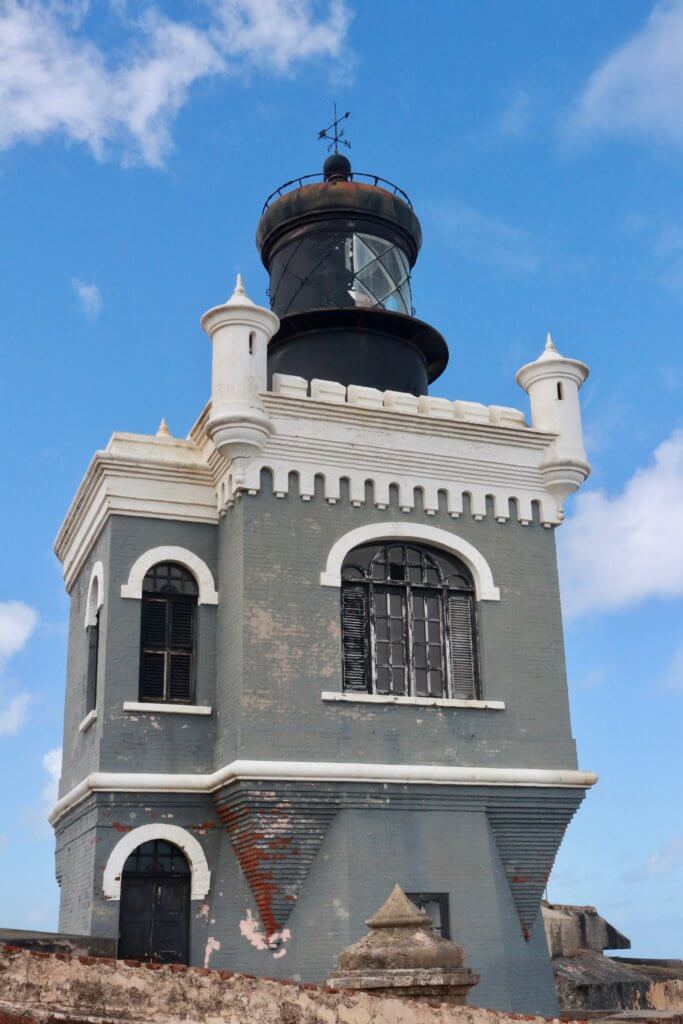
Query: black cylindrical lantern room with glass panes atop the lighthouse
[[340, 252]]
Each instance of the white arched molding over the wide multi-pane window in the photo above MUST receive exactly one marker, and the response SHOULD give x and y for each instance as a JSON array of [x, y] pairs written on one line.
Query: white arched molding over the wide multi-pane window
[[484, 578]]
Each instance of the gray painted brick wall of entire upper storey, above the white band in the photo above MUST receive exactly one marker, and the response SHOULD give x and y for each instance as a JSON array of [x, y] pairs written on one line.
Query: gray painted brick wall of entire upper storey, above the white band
[[277, 635]]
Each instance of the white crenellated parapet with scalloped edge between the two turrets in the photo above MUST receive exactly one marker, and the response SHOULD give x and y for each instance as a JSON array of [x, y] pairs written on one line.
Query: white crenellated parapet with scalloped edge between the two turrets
[[390, 447]]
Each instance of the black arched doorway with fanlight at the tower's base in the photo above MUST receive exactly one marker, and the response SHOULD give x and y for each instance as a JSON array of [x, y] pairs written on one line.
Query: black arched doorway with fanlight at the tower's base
[[154, 923]]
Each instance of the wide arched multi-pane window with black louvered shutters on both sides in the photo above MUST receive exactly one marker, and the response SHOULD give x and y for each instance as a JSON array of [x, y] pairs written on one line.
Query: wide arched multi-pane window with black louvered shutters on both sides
[[409, 623]]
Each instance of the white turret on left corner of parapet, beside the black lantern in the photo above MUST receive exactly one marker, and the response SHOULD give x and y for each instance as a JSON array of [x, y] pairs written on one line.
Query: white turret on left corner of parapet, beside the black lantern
[[239, 424]]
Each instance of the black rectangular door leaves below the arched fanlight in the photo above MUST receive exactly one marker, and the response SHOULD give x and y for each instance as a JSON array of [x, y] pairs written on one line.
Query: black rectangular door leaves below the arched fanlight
[[154, 923]]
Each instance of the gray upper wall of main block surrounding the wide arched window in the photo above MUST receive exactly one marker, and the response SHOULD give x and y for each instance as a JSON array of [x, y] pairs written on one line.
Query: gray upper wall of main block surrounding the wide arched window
[[291, 647]]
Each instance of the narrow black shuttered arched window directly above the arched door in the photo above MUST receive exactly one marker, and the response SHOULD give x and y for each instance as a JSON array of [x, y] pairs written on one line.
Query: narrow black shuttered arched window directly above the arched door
[[167, 656]]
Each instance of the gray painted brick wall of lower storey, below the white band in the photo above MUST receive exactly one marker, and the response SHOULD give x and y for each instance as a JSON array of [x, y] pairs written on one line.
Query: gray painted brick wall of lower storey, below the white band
[[428, 841]]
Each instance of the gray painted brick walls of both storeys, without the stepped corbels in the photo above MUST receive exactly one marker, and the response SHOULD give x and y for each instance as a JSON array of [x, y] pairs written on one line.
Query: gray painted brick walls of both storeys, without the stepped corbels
[[266, 655]]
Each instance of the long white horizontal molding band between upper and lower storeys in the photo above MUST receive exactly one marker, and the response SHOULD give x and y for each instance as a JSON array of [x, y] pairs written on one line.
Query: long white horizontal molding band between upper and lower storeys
[[318, 772]]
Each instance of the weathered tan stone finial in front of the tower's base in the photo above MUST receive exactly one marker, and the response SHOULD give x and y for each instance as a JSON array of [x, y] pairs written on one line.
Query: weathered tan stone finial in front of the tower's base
[[403, 956]]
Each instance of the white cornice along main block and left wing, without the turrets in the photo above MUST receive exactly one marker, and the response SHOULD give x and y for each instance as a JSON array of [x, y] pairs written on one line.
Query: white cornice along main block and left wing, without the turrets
[[462, 451]]
